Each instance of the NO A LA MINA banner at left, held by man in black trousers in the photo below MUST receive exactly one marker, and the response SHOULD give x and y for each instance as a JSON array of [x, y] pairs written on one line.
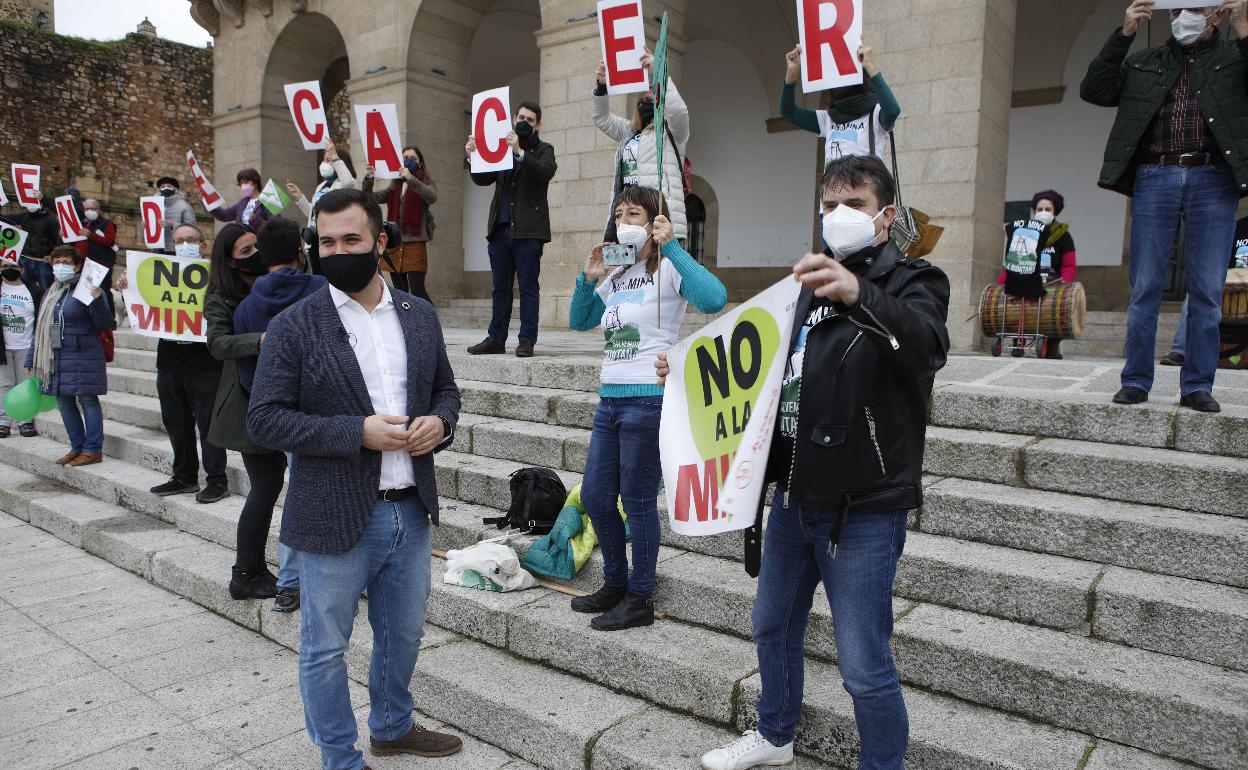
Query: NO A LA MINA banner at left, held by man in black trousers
[[164, 296]]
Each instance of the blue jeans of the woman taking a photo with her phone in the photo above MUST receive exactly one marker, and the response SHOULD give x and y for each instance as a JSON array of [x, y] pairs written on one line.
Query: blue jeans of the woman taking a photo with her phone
[[625, 464]]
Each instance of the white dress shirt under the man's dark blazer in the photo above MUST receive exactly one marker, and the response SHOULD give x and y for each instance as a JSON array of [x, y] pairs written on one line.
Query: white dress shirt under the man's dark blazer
[[378, 340]]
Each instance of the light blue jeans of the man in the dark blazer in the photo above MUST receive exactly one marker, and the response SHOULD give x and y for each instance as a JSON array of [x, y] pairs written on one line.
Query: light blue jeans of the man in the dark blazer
[[392, 562]]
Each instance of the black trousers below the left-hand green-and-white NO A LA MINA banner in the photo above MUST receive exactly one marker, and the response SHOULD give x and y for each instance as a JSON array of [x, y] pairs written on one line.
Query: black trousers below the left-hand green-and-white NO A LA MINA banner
[[187, 396]]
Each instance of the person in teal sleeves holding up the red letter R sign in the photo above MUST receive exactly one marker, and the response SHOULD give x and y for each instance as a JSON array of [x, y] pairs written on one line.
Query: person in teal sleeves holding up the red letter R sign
[[860, 119]]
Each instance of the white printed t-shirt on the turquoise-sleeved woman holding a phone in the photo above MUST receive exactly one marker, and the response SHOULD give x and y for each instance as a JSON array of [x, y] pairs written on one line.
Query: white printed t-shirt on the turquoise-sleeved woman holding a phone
[[632, 325]]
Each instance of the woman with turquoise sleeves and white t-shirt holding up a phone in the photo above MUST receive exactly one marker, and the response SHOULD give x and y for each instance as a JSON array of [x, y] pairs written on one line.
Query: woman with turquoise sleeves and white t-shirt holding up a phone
[[641, 308]]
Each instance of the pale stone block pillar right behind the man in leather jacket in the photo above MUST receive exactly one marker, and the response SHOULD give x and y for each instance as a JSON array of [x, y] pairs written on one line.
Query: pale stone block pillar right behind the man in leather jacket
[[950, 64]]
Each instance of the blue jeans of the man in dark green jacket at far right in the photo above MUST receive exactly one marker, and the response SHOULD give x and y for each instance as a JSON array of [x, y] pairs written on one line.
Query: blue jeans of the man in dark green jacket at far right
[[1206, 198]]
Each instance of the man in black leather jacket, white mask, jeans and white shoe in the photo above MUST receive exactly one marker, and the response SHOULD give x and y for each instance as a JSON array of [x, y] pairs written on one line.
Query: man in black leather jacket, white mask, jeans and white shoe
[[847, 459]]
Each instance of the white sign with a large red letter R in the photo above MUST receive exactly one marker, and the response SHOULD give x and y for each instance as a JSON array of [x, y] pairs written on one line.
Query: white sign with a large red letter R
[[831, 33]]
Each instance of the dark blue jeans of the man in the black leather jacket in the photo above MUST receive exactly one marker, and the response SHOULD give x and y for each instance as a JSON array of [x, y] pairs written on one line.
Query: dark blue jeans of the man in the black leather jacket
[[859, 583]]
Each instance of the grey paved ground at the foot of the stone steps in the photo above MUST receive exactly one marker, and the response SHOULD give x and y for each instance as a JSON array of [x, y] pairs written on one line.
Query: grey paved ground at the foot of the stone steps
[[103, 671]]
